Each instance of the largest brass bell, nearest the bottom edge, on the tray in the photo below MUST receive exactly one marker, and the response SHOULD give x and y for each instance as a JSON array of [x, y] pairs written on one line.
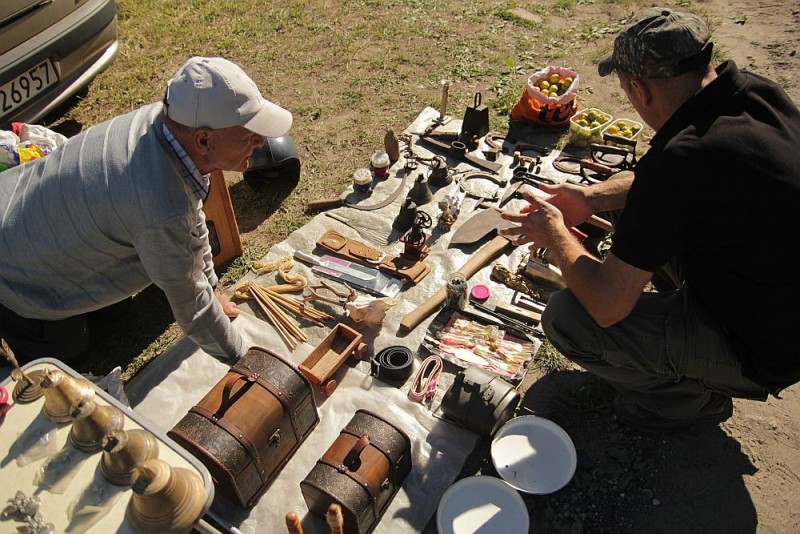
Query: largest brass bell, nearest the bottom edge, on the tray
[[165, 498]]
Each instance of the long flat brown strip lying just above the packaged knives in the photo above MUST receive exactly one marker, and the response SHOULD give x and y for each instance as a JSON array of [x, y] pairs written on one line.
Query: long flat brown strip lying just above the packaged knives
[[361, 253]]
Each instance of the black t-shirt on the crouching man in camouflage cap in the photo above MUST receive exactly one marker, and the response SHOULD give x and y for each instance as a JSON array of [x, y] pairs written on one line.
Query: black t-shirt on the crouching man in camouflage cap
[[720, 189]]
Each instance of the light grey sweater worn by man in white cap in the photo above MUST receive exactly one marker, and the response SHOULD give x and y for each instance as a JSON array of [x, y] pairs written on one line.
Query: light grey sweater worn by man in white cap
[[99, 219]]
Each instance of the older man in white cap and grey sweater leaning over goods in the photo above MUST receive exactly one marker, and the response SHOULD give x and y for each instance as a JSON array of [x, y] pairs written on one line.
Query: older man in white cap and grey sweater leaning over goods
[[118, 207]]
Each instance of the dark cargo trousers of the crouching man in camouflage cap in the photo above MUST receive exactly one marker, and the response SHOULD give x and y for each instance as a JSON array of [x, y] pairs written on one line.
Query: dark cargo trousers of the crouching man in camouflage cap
[[667, 356]]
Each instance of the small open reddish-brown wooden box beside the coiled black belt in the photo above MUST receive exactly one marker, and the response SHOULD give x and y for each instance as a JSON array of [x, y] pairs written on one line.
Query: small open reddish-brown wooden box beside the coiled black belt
[[326, 358]]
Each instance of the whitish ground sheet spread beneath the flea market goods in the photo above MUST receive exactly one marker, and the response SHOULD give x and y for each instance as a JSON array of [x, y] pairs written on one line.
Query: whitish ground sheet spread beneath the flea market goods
[[175, 381]]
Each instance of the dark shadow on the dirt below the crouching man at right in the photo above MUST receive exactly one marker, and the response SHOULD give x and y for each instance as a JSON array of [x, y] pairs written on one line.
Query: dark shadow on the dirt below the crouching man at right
[[629, 480]]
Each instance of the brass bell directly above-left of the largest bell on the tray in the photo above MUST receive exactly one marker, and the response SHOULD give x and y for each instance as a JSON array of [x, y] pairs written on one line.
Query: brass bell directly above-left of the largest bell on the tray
[[123, 451]]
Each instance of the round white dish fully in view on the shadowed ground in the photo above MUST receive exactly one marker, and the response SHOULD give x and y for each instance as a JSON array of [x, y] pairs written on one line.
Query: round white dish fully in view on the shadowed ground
[[534, 455]]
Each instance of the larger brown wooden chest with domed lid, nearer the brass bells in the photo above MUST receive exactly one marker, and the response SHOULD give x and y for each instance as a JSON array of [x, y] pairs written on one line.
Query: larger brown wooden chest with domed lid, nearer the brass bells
[[250, 424]]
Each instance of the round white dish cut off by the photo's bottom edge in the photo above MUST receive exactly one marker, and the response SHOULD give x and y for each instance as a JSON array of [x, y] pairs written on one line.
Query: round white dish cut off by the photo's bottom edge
[[482, 504]]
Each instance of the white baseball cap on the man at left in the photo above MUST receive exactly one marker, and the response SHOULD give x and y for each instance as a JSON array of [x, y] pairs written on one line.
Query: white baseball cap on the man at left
[[212, 92]]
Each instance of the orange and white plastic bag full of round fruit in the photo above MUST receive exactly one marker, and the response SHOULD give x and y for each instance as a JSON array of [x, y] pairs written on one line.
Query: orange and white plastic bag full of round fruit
[[549, 98]]
